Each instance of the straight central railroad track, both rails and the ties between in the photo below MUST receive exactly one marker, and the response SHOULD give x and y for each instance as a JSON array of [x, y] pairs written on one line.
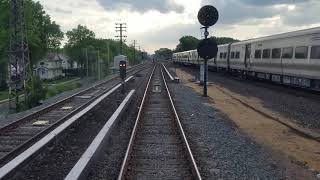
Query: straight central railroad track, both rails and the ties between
[[158, 147]]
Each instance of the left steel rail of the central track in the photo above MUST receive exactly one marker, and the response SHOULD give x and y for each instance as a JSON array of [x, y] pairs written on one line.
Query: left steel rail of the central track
[[134, 131]]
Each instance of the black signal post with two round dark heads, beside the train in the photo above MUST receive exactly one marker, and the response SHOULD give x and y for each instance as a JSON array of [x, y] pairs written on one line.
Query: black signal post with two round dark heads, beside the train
[[207, 48]]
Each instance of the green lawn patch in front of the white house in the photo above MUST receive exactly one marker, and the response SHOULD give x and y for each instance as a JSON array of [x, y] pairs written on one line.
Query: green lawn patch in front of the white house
[[59, 88]]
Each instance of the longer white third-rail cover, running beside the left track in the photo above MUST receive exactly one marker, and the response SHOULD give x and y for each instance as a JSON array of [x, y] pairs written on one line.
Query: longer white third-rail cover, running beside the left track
[[9, 167]]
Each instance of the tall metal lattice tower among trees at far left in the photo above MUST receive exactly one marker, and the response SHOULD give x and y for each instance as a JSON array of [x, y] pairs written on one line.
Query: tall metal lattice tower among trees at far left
[[19, 59]]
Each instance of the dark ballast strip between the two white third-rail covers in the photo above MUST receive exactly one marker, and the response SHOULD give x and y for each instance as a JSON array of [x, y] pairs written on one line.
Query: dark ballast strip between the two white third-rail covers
[[57, 160]]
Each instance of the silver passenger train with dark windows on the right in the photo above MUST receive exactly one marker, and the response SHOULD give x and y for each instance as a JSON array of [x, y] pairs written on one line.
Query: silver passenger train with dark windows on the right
[[291, 58]]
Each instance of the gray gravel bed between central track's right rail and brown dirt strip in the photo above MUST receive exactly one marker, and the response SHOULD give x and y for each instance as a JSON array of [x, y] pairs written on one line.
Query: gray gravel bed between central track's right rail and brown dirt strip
[[219, 149]]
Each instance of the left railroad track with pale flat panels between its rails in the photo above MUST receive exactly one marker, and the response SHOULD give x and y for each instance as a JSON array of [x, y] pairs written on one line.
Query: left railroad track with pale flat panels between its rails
[[21, 134]]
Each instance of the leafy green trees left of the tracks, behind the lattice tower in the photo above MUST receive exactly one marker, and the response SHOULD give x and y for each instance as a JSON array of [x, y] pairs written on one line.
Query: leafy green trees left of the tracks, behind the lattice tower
[[45, 35]]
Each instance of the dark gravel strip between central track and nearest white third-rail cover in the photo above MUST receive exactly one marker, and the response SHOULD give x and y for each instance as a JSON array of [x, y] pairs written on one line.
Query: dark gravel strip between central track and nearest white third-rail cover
[[108, 167]]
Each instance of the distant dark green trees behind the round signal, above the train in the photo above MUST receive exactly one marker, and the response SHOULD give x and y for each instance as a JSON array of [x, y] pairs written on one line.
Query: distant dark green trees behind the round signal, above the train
[[187, 43]]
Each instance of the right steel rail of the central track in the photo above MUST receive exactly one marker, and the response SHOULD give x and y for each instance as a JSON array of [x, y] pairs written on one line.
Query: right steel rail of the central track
[[185, 140]]
